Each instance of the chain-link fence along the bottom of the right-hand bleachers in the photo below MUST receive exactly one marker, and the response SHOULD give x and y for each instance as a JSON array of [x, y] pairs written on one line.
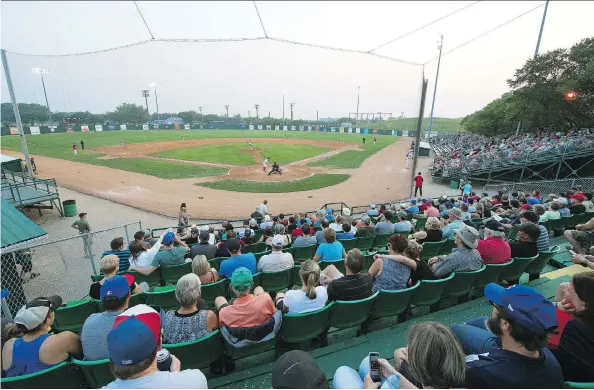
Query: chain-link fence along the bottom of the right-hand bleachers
[[545, 187]]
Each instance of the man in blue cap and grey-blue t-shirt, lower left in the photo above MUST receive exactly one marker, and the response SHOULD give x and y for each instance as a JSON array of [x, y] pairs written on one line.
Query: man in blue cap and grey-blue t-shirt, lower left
[[115, 297]]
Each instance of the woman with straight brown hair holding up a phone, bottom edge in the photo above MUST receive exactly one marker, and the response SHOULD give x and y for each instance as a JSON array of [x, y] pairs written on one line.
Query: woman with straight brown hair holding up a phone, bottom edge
[[433, 359]]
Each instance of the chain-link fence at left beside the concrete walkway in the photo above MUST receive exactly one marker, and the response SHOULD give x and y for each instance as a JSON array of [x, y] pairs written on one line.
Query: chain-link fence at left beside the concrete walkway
[[57, 267]]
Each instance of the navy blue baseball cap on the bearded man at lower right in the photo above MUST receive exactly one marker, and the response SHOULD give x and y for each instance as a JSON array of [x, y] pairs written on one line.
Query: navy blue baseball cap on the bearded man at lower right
[[525, 305]]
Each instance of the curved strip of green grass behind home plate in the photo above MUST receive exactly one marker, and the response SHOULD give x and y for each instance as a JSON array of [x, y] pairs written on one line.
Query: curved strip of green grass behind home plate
[[318, 180]]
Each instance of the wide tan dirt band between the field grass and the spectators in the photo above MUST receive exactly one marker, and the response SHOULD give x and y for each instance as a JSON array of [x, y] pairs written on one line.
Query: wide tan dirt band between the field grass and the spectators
[[381, 178]]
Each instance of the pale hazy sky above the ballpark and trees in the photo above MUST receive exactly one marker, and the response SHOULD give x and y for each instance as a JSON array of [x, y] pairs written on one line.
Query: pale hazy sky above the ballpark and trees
[[245, 73]]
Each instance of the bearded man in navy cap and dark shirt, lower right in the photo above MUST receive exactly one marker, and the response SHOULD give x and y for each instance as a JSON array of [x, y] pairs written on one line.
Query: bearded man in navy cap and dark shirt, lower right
[[508, 350]]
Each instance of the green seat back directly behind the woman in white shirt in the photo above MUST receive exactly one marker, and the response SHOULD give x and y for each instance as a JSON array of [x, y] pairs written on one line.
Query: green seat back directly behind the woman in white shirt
[[297, 328]]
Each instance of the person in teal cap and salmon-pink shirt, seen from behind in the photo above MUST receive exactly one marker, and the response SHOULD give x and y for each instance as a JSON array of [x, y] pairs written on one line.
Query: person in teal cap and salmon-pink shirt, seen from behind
[[247, 309]]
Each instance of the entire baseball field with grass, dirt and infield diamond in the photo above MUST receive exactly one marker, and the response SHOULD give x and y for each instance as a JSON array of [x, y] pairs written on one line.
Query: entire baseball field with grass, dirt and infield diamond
[[218, 173]]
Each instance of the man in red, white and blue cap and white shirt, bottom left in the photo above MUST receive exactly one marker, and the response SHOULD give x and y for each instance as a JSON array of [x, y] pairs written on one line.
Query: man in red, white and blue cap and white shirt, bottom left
[[133, 343]]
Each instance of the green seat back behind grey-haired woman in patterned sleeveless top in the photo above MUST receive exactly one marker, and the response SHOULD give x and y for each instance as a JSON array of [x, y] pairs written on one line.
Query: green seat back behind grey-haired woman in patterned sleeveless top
[[199, 353]]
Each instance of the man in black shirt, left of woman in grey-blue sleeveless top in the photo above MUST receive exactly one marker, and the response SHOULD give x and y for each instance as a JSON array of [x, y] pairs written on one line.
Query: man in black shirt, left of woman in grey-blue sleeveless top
[[352, 286]]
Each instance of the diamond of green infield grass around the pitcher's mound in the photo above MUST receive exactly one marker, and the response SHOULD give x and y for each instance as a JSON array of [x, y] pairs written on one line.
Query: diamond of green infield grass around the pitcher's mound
[[230, 153]]
